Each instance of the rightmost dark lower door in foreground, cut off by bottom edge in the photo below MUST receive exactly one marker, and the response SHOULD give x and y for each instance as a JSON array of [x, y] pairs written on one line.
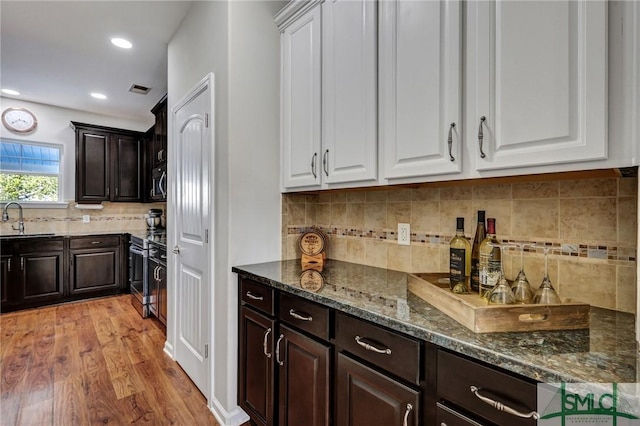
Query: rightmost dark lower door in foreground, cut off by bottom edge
[[366, 397]]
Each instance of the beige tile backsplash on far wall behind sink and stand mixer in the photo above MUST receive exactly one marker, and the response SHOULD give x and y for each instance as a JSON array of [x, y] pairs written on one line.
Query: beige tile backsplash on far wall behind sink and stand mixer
[[113, 217]]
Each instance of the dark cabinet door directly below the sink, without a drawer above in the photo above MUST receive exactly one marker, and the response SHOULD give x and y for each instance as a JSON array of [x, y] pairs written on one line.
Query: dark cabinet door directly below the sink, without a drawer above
[[41, 277]]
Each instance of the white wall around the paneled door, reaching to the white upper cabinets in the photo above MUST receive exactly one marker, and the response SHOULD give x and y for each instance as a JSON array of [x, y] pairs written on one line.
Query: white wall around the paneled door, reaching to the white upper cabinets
[[239, 43]]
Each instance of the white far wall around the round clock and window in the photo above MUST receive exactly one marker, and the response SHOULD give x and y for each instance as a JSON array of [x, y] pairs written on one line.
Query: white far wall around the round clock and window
[[53, 127]]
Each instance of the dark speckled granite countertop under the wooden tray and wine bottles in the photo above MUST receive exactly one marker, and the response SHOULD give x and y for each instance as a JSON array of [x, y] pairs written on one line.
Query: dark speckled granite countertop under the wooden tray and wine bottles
[[606, 352]]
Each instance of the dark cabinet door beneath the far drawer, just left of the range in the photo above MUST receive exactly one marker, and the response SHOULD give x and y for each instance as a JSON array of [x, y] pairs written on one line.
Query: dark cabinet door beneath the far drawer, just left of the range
[[95, 271]]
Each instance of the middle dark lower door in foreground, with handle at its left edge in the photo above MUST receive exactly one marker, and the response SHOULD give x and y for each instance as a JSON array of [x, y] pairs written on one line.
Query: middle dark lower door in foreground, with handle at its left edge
[[304, 373]]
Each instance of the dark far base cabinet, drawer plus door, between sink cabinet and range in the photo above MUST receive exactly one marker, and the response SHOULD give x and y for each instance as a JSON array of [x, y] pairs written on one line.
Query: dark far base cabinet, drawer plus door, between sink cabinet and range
[[95, 265]]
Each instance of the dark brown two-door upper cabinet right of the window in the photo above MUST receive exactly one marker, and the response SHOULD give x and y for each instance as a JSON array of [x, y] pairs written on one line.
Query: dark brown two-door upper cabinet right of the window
[[109, 164]]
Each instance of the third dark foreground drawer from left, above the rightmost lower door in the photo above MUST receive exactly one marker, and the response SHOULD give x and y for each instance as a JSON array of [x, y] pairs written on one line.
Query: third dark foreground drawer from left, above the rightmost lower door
[[386, 349]]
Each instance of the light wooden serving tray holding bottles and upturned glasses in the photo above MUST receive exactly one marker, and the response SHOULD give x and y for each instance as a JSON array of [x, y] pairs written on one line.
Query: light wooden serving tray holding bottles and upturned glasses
[[474, 313]]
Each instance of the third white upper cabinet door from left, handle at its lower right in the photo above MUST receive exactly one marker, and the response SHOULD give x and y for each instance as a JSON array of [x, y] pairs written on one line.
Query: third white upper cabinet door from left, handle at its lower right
[[420, 87]]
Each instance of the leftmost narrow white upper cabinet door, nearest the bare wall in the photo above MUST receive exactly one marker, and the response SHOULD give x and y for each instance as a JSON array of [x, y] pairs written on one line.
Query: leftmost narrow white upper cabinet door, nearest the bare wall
[[301, 102]]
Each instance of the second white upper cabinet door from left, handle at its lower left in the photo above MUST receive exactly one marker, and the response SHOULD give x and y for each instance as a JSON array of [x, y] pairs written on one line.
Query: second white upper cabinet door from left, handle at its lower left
[[349, 116]]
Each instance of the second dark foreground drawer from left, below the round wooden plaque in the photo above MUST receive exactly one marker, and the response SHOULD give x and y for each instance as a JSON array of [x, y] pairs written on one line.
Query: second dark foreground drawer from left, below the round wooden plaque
[[305, 315]]
